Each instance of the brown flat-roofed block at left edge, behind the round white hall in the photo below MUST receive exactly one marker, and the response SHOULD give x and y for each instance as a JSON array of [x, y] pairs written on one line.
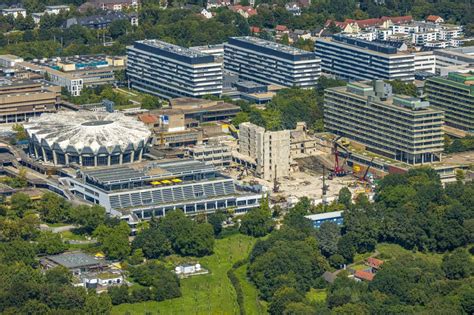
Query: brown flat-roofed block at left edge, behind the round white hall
[[21, 100]]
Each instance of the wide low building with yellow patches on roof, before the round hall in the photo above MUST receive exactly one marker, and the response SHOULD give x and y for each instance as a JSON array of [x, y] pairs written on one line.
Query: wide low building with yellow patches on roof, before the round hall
[[153, 189]]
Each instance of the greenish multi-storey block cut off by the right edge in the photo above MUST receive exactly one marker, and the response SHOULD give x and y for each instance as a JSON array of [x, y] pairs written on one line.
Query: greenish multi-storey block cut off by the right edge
[[455, 95]]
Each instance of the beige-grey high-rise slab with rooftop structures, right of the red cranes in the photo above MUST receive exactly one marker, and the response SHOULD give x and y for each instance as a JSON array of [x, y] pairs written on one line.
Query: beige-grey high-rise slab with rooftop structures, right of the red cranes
[[399, 127]]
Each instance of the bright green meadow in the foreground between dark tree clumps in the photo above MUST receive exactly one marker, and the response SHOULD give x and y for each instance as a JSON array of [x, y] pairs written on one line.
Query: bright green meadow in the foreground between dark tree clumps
[[208, 294]]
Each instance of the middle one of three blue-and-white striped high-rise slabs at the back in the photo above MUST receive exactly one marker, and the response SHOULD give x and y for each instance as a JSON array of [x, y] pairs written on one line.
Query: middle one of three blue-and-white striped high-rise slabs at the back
[[268, 62]]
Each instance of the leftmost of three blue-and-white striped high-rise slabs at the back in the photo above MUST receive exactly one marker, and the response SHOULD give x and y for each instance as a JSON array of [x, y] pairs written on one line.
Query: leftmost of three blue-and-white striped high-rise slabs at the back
[[170, 71]]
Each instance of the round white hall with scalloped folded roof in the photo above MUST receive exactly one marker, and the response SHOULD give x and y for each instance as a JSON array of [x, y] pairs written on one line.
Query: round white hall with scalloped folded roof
[[87, 138]]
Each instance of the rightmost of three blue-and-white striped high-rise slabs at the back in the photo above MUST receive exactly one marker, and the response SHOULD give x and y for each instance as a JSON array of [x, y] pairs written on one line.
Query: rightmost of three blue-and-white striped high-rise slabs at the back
[[356, 59]]
